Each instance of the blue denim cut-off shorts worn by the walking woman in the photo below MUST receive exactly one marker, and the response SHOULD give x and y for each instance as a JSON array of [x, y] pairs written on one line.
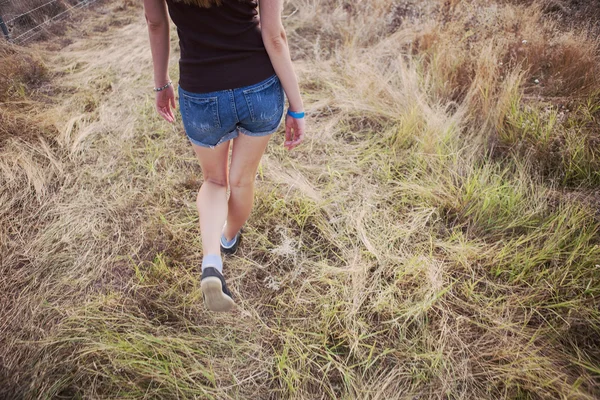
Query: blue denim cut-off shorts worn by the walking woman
[[213, 118]]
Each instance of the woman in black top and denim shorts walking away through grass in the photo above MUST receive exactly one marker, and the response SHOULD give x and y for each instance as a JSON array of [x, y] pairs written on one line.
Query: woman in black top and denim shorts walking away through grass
[[234, 70]]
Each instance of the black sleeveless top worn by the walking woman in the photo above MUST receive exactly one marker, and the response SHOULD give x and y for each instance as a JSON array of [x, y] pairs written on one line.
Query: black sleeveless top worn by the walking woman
[[221, 46]]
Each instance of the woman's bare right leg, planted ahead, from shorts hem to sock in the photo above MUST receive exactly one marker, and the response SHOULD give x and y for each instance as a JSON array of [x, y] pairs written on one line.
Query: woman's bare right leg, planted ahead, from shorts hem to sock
[[245, 158]]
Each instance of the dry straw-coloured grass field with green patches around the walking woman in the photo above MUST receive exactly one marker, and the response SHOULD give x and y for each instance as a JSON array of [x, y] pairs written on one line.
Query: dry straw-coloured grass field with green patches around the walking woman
[[436, 237]]
